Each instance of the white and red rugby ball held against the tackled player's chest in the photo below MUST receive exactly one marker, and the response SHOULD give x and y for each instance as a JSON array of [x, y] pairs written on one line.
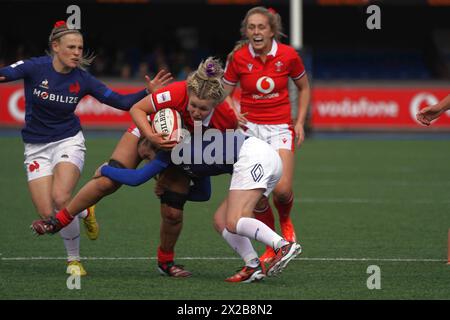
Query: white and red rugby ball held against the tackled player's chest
[[168, 121]]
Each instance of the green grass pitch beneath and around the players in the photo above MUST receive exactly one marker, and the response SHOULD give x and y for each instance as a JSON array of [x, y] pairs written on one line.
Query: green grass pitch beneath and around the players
[[359, 202]]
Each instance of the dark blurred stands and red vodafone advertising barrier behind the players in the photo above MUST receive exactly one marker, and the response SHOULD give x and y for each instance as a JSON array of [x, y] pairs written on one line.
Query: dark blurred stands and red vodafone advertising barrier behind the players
[[361, 79]]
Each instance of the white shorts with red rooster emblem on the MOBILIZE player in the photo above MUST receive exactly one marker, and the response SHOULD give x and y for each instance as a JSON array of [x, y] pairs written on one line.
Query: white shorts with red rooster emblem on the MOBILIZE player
[[41, 158]]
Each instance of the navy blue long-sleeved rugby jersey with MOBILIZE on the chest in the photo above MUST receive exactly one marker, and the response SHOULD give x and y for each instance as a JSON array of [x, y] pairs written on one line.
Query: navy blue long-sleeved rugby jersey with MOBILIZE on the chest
[[52, 97]]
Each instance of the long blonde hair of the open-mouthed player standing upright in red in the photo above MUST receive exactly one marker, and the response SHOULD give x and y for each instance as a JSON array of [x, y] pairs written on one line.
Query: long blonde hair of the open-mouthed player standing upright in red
[[274, 21]]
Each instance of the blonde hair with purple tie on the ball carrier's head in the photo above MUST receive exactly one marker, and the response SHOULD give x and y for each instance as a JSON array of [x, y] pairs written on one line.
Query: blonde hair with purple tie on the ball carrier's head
[[206, 81]]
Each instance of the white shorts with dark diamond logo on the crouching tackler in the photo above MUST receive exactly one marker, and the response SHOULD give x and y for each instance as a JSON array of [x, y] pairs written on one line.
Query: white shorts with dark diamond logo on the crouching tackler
[[258, 167]]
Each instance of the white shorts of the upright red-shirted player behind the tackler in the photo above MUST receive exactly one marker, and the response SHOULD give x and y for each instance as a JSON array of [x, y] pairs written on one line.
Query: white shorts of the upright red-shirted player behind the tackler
[[279, 136]]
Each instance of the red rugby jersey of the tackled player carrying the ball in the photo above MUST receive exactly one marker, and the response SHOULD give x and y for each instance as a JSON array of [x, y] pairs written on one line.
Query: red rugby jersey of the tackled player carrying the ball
[[175, 96]]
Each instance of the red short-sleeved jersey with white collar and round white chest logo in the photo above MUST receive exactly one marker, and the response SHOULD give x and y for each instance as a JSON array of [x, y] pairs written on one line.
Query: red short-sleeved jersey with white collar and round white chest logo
[[264, 86]]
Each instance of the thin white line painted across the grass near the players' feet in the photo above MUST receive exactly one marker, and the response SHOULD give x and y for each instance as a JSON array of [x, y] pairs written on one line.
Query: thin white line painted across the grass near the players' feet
[[227, 258]]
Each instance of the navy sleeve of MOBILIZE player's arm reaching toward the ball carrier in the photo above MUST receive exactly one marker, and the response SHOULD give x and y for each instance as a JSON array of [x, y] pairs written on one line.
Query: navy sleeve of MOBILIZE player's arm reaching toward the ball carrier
[[102, 93]]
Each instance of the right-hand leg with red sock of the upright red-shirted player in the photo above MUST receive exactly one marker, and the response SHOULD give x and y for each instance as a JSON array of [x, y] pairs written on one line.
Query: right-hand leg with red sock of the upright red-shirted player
[[283, 198]]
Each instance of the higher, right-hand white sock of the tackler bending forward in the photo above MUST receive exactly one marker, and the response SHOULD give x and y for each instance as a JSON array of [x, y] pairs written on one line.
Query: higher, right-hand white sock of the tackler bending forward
[[255, 229]]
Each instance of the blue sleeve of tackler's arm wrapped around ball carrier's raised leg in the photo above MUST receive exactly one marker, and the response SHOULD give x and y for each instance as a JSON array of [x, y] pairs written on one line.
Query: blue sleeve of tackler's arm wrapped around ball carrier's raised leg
[[135, 177]]
